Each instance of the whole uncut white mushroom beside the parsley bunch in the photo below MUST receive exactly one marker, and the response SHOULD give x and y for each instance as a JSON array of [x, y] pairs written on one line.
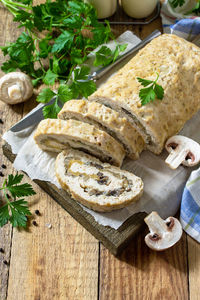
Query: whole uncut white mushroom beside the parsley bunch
[[15, 87]]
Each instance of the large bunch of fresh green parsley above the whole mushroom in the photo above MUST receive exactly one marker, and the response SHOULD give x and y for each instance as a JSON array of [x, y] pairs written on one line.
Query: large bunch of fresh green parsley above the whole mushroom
[[58, 37]]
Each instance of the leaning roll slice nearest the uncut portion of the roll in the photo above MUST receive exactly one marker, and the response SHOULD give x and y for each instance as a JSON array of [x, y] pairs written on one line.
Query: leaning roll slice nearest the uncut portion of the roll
[[105, 119]]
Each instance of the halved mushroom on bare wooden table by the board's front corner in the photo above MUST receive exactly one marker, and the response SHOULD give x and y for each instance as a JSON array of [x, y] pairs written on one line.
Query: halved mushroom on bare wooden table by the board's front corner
[[163, 233]]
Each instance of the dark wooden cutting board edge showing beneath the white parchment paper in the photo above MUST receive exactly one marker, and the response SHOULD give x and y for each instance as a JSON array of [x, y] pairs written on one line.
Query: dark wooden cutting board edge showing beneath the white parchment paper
[[114, 240]]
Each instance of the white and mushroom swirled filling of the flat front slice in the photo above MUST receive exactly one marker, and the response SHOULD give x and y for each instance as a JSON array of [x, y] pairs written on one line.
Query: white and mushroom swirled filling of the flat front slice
[[103, 184]]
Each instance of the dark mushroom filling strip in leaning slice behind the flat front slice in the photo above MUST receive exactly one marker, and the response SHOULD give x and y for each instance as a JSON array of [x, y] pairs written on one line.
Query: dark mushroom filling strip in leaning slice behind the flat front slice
[[89, 149]]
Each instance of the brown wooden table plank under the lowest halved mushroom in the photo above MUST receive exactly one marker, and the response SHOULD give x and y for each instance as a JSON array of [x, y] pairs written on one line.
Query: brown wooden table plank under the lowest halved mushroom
[[140, 273]]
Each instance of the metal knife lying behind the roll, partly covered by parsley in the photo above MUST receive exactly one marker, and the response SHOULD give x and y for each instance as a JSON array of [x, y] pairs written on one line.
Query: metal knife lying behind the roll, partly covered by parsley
[[37, 115]]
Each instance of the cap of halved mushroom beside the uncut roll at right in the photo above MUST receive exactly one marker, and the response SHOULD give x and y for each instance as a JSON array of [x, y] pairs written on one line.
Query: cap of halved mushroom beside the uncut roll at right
[[189, 149]]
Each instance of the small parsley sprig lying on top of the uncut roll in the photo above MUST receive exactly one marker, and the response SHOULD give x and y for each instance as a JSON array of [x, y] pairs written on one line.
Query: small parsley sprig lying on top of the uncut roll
[[150, 91]]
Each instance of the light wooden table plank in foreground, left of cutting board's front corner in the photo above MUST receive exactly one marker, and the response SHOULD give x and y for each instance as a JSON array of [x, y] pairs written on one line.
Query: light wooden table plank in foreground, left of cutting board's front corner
[[61, 262]]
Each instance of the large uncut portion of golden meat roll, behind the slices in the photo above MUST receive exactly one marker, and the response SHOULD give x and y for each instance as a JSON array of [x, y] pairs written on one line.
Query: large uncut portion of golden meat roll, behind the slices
[[178, 64]]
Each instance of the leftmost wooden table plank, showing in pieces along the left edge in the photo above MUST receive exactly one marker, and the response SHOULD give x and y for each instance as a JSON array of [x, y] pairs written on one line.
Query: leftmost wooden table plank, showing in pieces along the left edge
[[6, 232]]
